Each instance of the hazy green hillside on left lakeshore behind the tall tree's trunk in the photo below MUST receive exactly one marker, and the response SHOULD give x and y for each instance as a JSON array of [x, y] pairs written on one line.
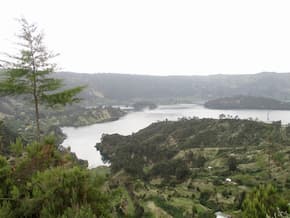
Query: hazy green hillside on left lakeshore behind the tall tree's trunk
[[18, 116]]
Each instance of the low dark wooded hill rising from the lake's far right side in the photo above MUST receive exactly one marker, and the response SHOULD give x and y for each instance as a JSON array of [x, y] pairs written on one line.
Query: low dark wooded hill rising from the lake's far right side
[[247, 102]]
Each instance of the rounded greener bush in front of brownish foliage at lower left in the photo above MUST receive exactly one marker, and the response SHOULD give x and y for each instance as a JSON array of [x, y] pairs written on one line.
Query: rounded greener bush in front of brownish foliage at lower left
[[58, 189]]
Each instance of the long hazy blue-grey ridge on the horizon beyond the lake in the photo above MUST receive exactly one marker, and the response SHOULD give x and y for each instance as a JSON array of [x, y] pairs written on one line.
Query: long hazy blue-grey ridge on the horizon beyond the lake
[[123, 87]]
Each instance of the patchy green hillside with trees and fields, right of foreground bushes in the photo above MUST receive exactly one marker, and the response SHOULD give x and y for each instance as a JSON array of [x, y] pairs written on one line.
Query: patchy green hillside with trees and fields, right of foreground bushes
[[193, 168]]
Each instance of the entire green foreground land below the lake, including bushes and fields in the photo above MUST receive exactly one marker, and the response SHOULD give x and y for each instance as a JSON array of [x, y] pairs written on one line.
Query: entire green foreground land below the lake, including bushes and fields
[[187, 168]]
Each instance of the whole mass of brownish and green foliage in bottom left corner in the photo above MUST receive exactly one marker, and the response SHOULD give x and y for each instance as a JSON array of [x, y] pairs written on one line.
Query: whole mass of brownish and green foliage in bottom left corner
[[45, 182]]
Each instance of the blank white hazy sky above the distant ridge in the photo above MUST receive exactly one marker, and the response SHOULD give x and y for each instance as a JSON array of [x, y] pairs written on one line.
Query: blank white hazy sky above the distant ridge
[[158, 37]]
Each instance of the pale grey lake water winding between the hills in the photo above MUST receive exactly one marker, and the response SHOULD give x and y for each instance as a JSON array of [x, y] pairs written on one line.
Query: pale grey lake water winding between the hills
[[82, 140]]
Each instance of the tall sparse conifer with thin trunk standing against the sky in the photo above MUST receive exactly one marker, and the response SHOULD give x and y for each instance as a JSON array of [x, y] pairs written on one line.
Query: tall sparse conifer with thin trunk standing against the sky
[[28, 73]]
